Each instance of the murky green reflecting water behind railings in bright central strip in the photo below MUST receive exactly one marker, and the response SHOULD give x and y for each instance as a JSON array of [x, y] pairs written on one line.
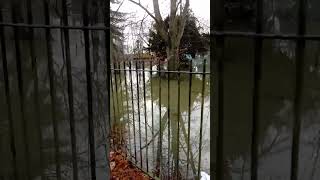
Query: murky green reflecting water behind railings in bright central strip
[[150, 132]]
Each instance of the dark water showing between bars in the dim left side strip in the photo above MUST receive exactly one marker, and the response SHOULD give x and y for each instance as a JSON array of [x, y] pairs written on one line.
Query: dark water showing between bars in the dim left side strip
[[46, 124]]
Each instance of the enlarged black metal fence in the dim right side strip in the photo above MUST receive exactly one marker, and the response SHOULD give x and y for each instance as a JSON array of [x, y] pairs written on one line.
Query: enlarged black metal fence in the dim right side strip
[[219, 36]]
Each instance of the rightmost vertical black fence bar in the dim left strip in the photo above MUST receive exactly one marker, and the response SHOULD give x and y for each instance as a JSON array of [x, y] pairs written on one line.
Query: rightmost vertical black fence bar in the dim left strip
[[89, 91]]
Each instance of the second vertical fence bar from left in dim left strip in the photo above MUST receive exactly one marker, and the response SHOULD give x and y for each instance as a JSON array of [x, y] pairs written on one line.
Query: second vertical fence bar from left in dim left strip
[[14, 11]]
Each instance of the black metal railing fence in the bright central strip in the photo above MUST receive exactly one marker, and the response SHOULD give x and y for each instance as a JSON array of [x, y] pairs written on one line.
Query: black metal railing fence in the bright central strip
[[153, 110]]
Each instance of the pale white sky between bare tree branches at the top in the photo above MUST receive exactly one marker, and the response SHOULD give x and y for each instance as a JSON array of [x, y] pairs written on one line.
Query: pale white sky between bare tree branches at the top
[[200, 8]]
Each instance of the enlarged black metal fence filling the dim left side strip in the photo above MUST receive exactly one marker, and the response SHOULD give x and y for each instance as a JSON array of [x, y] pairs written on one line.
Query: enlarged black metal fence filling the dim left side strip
[[54, 102]]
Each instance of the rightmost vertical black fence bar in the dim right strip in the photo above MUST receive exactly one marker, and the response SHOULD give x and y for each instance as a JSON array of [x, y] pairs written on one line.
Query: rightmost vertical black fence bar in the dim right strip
[[298, 92]]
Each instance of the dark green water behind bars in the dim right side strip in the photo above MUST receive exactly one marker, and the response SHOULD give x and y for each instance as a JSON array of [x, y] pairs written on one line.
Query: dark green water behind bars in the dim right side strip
[[276, 113]]
